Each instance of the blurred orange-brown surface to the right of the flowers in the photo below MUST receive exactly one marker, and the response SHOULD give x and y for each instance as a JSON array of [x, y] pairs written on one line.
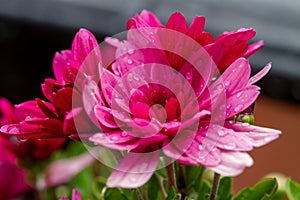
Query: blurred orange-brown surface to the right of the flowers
[[281, 155]]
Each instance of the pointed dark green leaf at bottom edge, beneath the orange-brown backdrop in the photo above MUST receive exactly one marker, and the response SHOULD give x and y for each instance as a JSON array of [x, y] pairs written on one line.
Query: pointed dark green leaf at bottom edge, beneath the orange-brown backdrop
[[263, 190]]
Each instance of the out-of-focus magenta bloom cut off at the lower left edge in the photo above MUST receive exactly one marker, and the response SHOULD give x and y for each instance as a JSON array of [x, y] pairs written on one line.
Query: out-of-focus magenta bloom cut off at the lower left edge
[[12, 178]]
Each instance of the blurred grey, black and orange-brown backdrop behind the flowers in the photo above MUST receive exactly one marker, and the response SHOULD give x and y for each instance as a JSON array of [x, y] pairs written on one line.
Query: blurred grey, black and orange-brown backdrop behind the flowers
[[32, 31]]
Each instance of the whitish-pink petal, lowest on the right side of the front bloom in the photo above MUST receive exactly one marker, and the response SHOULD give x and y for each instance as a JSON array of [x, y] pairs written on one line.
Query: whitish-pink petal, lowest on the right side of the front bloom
[[232, 163]]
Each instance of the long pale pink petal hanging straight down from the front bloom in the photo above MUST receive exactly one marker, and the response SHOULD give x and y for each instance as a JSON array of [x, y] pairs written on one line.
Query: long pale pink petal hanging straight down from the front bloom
[[134, 170]]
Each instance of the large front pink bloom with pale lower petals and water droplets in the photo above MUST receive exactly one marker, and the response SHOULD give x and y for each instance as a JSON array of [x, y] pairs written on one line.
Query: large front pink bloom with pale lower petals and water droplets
[[163, 94]]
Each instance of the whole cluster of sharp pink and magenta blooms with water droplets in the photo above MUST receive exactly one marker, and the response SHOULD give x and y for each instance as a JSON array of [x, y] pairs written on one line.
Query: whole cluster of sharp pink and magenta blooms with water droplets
[[151, 100]]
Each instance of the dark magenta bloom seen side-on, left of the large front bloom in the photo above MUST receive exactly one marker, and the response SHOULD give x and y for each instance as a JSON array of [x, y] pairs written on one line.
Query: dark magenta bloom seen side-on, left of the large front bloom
[[54, 119]]
